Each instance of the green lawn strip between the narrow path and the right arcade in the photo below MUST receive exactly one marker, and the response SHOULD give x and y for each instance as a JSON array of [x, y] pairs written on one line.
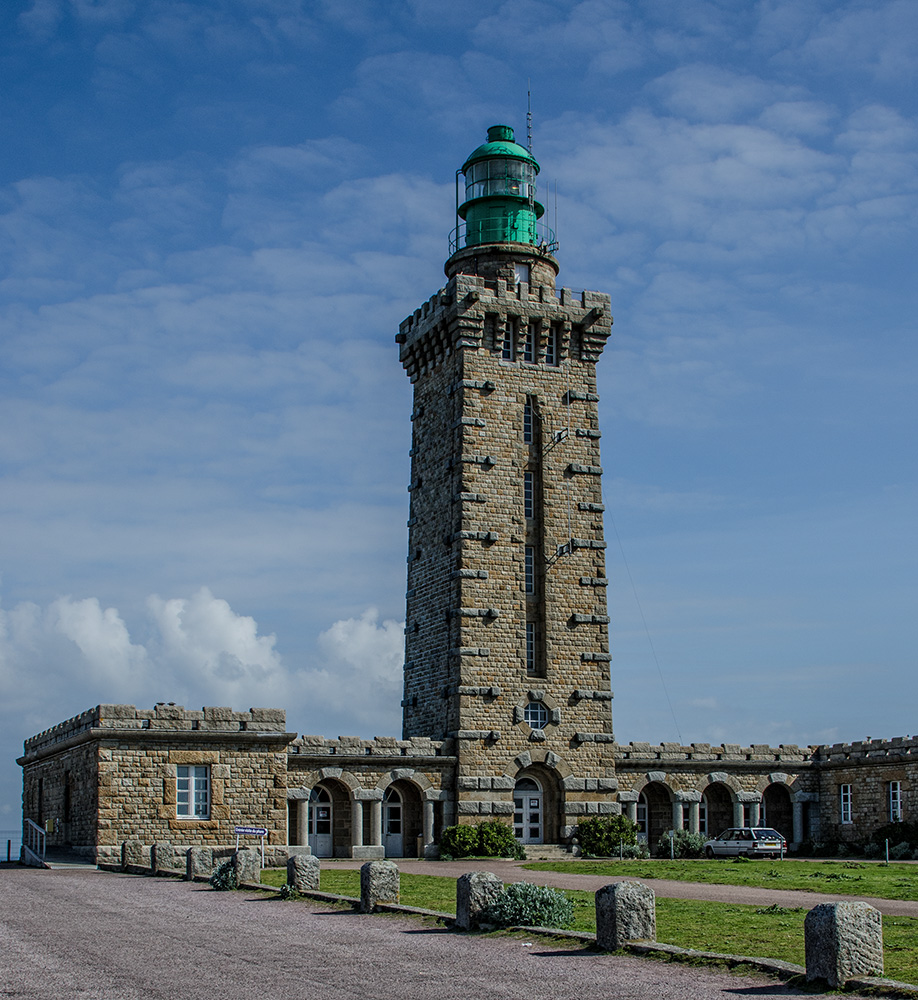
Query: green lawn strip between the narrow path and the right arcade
[[848, 878]]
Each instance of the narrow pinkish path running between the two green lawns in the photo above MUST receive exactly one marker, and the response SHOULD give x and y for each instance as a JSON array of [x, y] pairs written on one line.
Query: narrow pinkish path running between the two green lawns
[[512, 871]]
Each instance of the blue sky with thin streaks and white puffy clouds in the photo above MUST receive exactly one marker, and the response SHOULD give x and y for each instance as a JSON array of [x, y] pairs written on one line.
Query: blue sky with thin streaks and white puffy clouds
[[213, 216]]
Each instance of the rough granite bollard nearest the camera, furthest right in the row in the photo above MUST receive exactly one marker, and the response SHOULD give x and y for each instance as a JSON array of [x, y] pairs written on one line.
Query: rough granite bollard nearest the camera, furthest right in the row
[[843, 941]]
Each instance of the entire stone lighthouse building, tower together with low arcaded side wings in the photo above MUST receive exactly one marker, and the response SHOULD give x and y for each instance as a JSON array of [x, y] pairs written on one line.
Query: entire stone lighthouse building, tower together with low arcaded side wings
[[507, 698]]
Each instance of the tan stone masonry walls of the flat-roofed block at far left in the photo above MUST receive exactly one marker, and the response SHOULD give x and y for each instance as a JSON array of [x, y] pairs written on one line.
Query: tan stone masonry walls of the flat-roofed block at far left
[[123, 764]]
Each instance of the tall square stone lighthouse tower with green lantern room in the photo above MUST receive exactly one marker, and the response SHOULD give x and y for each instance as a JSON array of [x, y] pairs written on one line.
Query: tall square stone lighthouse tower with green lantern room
[[507, 646]]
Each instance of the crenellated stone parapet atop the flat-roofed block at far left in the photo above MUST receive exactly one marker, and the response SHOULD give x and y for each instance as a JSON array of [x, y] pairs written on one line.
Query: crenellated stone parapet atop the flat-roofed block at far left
[[163, 717]]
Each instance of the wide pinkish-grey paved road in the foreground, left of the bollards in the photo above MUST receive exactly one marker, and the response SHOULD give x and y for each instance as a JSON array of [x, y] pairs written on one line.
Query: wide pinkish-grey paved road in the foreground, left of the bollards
[[85, 934]]
